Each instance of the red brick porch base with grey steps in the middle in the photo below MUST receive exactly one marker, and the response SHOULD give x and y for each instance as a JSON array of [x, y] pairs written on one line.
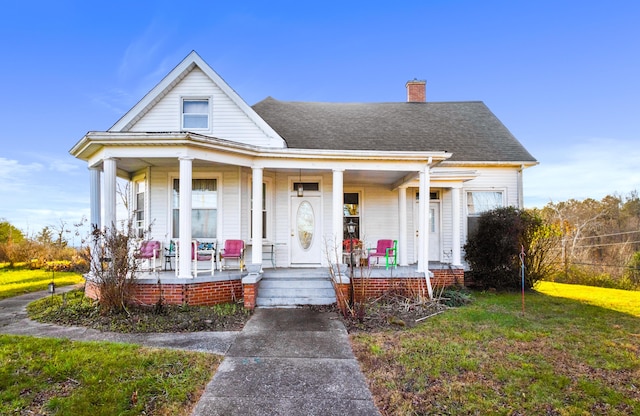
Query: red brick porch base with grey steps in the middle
[[286, 287]]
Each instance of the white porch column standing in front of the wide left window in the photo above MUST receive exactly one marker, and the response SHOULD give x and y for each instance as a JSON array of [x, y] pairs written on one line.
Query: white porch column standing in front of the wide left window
[[186, 175]]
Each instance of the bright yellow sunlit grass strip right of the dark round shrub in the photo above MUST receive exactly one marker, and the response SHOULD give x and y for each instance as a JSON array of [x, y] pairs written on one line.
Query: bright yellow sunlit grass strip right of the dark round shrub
[[625, 301]]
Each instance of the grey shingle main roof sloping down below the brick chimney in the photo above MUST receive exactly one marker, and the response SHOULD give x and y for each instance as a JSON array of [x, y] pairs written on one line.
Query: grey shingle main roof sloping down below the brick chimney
[[469, 130]]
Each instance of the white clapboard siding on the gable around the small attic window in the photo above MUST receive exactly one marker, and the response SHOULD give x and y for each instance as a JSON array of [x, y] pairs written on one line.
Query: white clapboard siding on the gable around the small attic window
[[228, 121]]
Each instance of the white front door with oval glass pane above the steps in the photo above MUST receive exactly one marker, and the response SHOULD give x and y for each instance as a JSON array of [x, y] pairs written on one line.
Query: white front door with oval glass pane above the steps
[[306, 239]]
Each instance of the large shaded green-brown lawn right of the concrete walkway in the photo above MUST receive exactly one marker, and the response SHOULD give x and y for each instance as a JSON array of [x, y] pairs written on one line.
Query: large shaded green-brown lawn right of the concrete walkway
[[562, 357]]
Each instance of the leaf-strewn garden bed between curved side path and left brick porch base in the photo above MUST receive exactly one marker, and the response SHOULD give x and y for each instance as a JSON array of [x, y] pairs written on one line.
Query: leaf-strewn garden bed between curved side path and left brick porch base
[[73, 308]]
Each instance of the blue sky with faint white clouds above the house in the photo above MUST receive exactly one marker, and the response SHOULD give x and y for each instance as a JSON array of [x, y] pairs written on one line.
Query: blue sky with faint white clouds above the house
[[563, 76]]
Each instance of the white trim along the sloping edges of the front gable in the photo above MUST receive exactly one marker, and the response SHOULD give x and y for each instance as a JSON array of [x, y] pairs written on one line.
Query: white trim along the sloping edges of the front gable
[[174, 77]]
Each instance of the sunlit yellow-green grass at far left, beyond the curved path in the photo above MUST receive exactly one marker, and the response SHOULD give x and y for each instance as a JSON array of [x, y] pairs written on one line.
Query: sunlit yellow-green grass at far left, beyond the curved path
[[14, 282]]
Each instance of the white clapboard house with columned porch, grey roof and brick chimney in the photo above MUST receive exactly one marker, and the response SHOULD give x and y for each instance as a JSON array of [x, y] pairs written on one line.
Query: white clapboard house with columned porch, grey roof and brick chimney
[[196, 154]]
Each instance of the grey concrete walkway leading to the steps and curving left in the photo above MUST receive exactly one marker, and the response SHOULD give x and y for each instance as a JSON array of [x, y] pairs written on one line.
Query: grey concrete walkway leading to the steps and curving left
[[284, 362]]
